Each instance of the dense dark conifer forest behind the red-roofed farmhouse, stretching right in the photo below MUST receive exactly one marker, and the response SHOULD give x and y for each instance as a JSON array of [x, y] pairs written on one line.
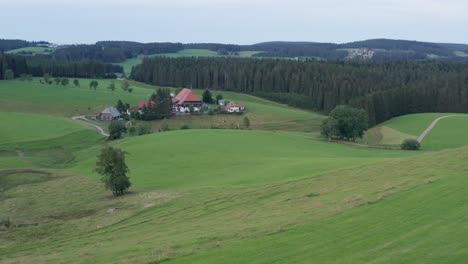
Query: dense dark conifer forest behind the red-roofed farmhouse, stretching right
[[383, 89]]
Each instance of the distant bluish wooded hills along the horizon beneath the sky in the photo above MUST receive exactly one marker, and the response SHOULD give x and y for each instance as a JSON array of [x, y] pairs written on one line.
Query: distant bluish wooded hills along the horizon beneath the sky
[[373, 49]]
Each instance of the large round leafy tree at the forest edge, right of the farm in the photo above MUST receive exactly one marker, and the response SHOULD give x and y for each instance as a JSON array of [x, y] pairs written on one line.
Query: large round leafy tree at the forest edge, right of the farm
[[346, 123]]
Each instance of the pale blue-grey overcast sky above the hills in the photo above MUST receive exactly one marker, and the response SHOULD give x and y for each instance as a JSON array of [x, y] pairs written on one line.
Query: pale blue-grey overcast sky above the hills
[[233, 21]]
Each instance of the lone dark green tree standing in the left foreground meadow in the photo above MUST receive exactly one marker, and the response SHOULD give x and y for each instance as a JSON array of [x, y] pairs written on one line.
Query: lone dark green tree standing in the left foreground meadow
[[111, 165]]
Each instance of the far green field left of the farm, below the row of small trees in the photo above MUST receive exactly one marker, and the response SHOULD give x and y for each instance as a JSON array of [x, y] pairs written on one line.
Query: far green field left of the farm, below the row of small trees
[[34, 97]]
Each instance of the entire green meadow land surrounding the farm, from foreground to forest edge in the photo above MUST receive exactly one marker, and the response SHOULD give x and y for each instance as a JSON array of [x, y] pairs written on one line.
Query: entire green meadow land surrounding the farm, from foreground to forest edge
[[274, 193]]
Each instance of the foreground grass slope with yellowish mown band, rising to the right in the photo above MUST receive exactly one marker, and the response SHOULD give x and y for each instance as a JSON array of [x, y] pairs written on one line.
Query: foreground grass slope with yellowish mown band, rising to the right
[[367, 213]]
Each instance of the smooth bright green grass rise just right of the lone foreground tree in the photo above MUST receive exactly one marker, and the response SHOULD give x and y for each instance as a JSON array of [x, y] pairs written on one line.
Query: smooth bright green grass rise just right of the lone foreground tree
[[204, 158]]
